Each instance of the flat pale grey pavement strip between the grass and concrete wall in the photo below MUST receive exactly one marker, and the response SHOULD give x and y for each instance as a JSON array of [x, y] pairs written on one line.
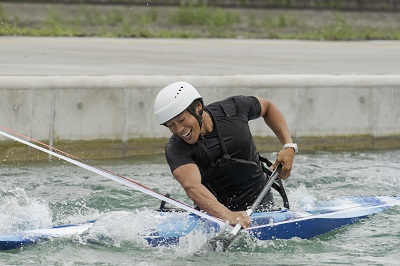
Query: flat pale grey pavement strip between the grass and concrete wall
[[42, 56]]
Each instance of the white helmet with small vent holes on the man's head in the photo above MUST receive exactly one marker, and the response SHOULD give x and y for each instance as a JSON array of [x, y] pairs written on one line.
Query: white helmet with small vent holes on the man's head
[[173, 100]]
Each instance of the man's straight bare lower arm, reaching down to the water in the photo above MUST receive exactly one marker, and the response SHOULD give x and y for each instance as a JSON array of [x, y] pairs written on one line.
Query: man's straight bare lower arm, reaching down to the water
[[189, 177]]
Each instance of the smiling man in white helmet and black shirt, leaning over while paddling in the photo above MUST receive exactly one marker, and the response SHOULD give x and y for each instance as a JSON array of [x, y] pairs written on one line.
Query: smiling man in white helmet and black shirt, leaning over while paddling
[[212, 154]]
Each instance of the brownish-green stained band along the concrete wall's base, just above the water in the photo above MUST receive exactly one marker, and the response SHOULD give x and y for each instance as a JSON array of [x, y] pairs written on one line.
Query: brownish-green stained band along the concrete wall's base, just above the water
[[13, 152]]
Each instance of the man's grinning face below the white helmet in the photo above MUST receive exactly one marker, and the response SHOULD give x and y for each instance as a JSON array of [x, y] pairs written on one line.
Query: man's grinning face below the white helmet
[[185, 126]]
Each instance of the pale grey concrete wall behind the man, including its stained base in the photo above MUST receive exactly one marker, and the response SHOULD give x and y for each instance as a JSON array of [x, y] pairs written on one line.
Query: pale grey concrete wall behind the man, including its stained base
[[112, 116]]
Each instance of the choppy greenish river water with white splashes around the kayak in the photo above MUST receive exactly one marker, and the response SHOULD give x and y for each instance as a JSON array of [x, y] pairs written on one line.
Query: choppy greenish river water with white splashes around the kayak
[[41, 194]]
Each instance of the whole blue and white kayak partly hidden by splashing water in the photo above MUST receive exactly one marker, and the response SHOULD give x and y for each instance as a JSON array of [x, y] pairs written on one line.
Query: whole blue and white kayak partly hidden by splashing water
[[305, 223]]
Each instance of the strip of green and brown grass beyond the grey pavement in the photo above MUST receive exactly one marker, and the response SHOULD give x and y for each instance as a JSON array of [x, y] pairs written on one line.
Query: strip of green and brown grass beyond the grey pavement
[[187, 22]]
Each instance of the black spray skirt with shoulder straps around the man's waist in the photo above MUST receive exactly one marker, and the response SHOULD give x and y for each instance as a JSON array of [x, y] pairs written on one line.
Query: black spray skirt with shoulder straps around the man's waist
[[236, 183]]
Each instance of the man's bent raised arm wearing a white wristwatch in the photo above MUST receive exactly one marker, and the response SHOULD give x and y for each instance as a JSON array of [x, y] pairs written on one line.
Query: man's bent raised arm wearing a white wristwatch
[[276, 121]]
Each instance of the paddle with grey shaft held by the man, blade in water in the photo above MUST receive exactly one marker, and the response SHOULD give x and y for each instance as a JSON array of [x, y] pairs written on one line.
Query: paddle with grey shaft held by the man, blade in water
[[221, 243]]
